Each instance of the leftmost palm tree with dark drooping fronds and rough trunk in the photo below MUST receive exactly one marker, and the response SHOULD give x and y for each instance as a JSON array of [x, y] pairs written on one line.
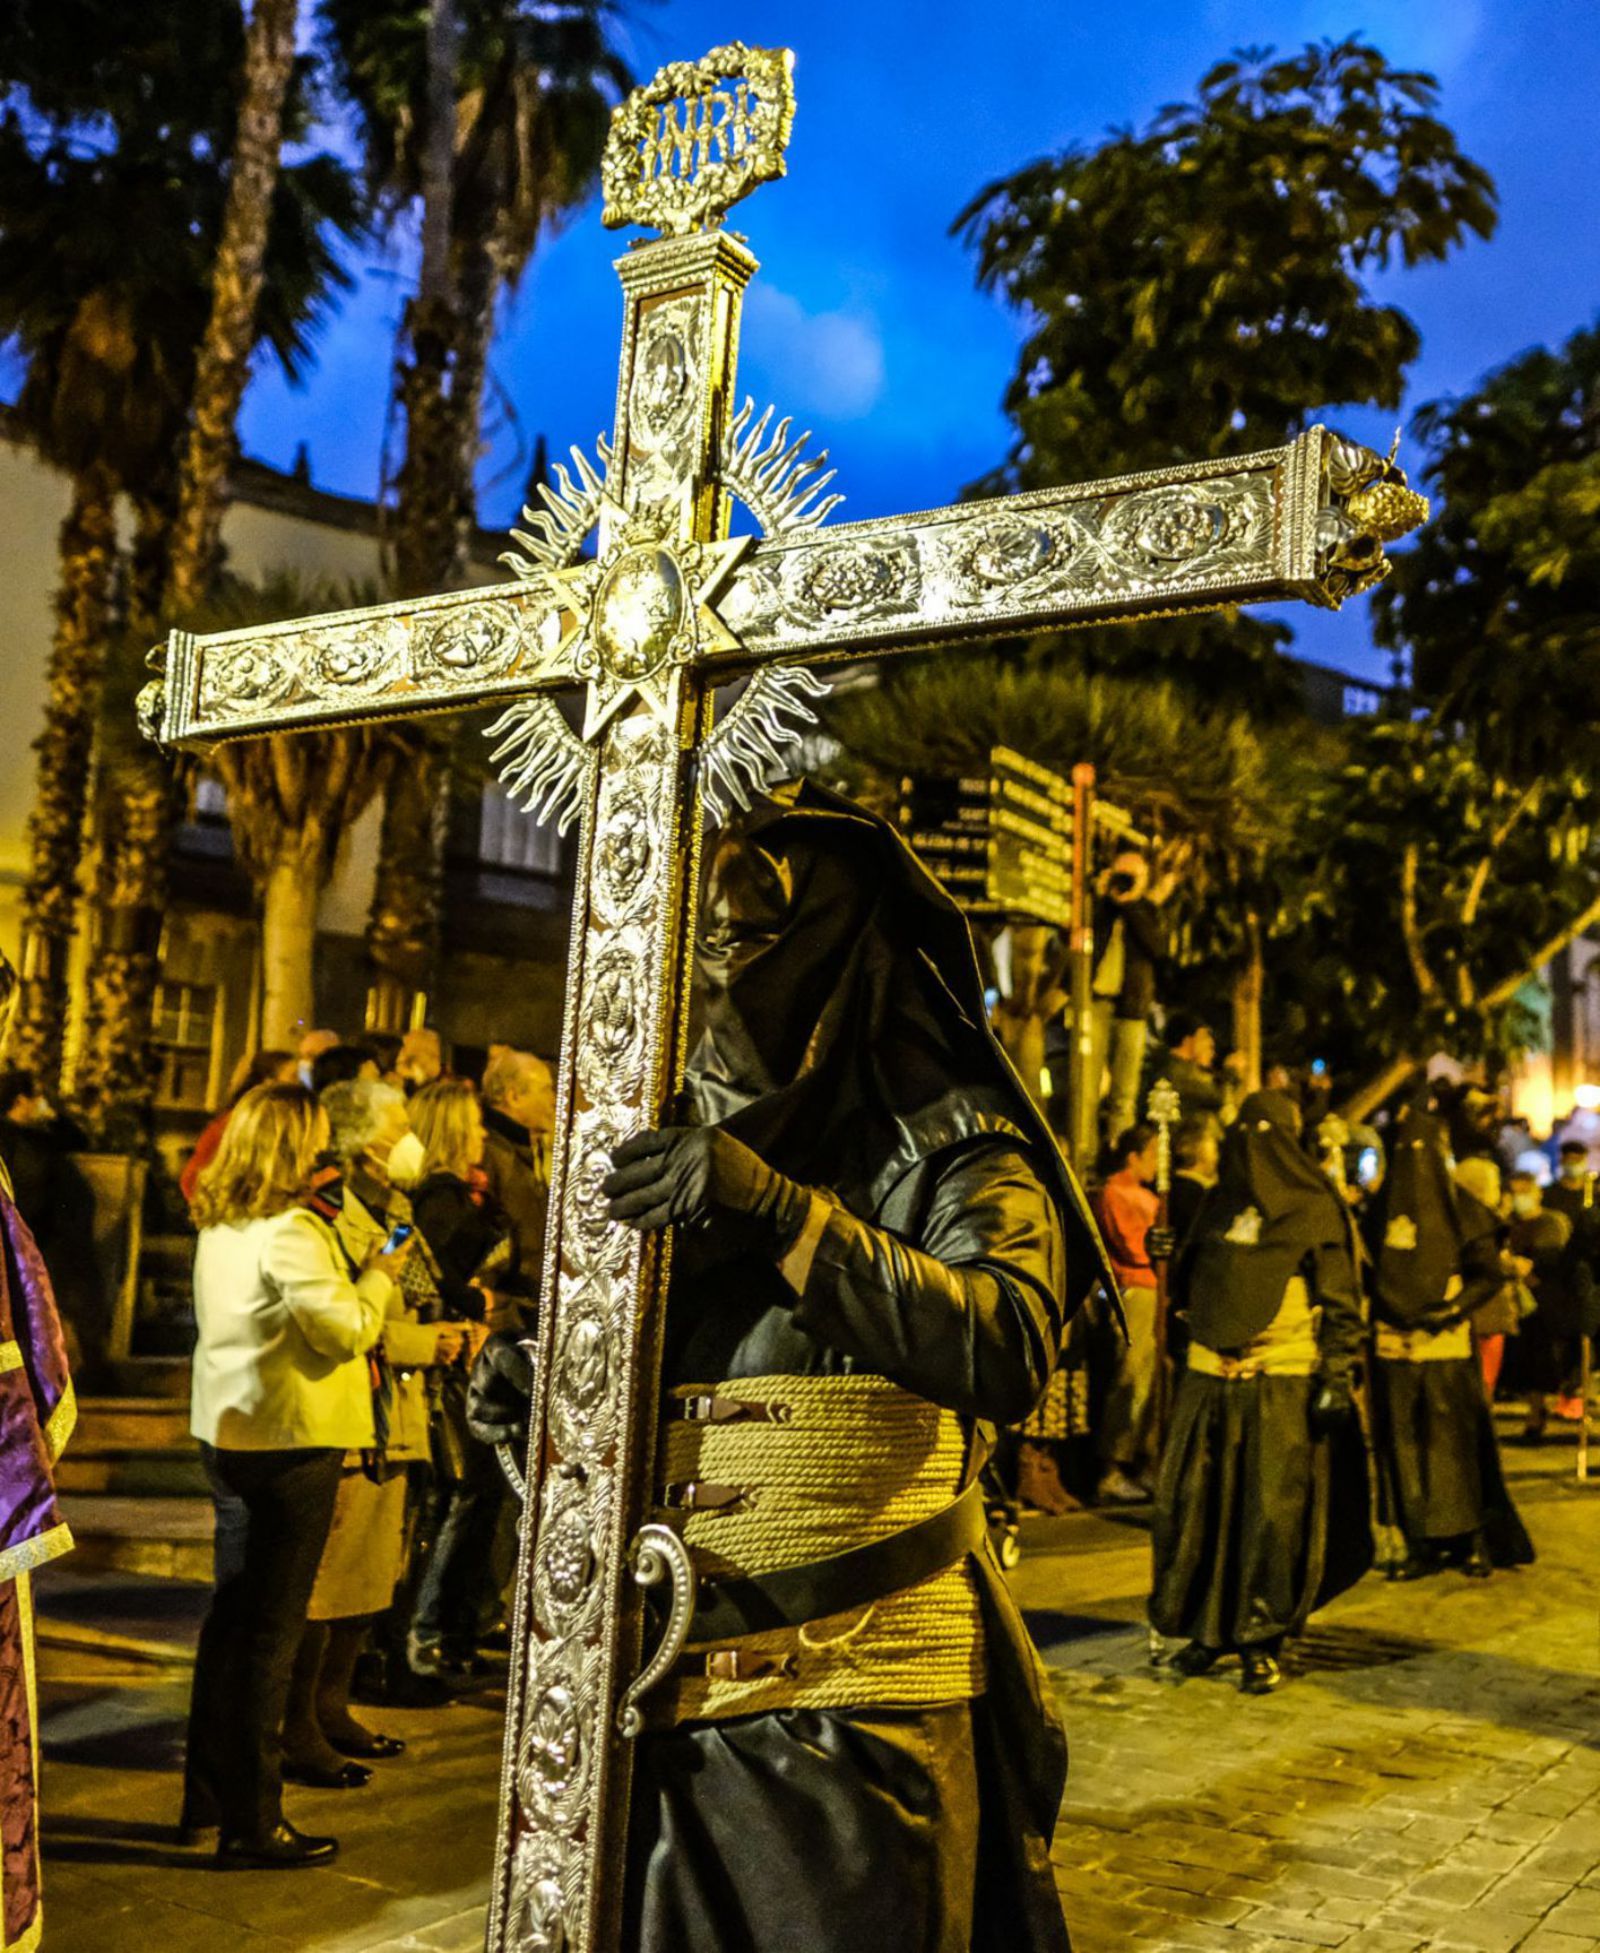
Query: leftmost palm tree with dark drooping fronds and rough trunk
[[110, 204]]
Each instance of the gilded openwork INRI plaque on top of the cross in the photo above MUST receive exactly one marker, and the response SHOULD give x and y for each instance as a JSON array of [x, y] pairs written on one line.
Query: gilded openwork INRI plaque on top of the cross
[[698, 138]]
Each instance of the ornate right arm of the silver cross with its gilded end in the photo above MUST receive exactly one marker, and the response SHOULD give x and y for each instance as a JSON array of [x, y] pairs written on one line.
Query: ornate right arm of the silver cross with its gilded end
[[1298, 522]]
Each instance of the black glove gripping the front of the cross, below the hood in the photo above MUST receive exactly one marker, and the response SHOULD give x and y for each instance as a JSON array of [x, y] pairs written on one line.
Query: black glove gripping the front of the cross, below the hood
[[704, 1179]]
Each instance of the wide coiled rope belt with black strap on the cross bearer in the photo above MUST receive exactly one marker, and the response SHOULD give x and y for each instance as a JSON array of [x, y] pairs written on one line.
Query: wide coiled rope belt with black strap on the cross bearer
[[831, 1522]]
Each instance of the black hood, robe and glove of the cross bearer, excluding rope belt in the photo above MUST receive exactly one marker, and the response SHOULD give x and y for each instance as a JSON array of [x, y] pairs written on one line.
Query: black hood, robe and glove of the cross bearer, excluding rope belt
[[864, 1192]]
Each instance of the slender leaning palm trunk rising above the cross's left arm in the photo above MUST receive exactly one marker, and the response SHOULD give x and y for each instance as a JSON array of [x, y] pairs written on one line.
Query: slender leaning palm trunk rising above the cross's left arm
[[224, 366]]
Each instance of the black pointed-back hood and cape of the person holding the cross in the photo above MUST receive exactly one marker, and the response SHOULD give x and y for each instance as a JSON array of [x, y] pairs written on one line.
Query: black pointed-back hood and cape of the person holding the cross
[[845, 1036]]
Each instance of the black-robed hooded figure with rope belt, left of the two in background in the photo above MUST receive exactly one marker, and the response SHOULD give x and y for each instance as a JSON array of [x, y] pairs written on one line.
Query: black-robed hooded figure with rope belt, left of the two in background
[[1263, 1495]]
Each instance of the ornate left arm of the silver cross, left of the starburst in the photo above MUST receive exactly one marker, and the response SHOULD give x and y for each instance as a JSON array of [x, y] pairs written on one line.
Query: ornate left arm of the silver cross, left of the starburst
[[394, 661]]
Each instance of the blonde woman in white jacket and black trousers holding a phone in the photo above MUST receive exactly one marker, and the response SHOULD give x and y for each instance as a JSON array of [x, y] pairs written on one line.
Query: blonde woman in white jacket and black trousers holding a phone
[[280, 1393]]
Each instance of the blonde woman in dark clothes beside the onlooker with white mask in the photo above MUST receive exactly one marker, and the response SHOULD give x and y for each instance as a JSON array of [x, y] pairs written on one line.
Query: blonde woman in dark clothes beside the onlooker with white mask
[[468, 1239]]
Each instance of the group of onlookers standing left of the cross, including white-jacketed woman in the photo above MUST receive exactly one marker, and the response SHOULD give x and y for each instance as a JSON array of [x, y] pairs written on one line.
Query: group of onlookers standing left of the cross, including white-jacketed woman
[[364, 1224]]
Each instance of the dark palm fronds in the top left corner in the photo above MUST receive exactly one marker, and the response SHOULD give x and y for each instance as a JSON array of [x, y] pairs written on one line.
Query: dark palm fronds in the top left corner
[[114, 132]]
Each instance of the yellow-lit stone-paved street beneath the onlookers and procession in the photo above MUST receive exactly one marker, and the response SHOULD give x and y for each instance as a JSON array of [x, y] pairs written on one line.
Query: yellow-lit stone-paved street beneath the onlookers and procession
[[1429, 1778]]
